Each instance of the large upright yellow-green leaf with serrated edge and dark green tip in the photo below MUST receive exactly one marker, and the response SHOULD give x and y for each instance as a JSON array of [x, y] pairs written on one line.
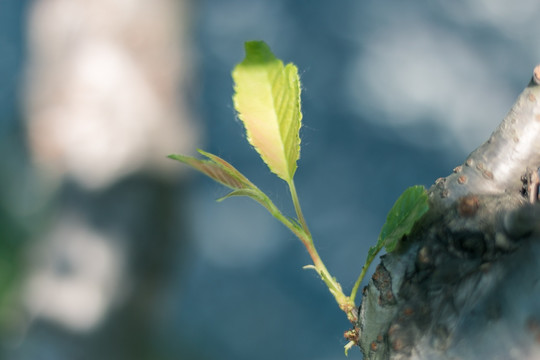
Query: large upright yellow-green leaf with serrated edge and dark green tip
[[267, 99]]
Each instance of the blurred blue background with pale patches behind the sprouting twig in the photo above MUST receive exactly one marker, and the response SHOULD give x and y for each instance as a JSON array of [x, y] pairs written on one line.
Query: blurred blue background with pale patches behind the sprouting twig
[[108, 250]]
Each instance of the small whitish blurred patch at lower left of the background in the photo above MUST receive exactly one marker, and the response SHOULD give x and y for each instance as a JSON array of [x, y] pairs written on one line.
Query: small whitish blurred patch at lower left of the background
[[75, 275]]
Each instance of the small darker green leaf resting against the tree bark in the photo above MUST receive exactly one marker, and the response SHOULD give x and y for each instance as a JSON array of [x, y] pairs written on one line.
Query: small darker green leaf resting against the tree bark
[[407, 210]]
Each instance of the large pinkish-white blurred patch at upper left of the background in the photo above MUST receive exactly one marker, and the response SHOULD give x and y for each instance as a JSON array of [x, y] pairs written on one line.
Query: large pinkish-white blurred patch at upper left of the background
[[106, 85]]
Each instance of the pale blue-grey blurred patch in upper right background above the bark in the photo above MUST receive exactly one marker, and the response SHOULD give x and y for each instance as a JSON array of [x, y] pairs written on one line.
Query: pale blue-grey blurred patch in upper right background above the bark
[[412, 72]]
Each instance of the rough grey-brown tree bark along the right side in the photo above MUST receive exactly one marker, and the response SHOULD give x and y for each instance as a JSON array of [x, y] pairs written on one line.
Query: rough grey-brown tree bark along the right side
[[465, 284]]
